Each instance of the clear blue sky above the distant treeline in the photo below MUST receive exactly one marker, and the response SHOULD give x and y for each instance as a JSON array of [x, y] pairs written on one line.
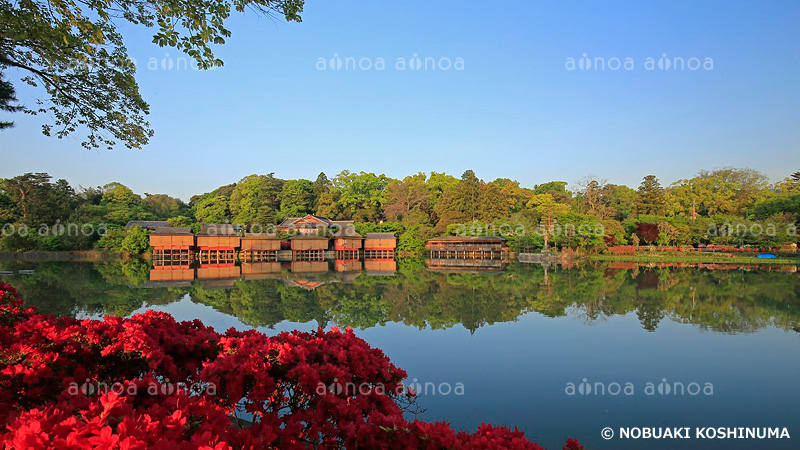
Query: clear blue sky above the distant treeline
[[514, 110]]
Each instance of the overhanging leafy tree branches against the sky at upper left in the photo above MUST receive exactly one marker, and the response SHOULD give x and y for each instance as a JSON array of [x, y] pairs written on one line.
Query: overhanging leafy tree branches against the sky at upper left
[[74, 51]]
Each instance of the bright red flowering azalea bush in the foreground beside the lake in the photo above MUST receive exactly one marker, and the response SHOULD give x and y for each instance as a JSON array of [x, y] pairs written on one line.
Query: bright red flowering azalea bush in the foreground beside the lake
[[152, 382]]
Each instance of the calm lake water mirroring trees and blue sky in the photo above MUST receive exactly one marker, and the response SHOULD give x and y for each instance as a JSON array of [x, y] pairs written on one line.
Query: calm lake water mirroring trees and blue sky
[[513, 338]]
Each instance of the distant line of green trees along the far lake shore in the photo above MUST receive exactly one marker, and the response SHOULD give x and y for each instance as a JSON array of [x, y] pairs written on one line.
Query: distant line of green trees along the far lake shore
[[725, 206]]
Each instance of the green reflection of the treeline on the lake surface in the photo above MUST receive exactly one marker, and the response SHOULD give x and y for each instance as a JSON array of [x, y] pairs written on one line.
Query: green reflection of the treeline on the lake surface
[[732, 301]]
